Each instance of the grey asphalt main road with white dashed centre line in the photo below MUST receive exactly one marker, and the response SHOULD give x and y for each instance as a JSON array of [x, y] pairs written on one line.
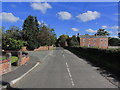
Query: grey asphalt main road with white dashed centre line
[[62, 69]]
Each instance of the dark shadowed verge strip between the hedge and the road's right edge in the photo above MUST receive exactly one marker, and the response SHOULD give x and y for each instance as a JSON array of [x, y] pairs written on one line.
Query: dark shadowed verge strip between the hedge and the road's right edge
[[113, 78]]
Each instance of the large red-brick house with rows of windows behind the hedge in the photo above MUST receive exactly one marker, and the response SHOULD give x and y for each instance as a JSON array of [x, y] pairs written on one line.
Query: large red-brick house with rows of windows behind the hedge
[[93, 41]]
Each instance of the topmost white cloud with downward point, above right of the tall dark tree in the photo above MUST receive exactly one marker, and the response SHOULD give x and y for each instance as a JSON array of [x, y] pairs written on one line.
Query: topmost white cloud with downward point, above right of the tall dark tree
[[41, 7]]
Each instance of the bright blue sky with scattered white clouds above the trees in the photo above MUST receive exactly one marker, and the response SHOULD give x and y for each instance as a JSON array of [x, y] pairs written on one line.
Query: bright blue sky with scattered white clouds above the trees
[[65, 17]]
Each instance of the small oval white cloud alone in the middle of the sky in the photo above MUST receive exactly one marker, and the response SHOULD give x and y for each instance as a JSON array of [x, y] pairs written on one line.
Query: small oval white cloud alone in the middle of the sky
[[64, 15]]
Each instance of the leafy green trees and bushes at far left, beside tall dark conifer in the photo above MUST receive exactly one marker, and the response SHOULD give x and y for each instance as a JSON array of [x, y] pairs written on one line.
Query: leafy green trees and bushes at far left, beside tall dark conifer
[[11, 39]]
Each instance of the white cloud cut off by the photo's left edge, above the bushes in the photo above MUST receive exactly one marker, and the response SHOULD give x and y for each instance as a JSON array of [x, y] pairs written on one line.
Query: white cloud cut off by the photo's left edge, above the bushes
[[9, 17]]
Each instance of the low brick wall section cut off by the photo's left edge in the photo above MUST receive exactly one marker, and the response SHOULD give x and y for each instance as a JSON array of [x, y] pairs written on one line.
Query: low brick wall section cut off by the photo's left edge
[[5, 66]]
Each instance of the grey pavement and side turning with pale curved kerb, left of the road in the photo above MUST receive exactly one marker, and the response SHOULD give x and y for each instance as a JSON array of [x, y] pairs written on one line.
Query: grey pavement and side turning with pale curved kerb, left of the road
[[14, 76]]
